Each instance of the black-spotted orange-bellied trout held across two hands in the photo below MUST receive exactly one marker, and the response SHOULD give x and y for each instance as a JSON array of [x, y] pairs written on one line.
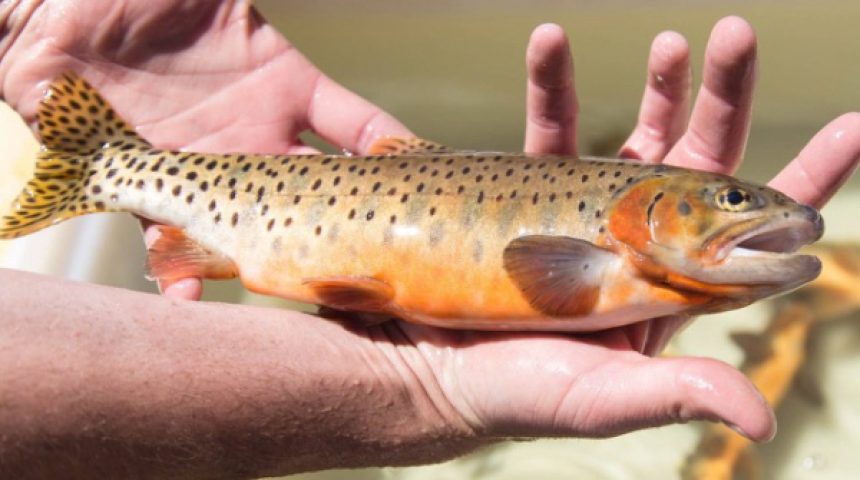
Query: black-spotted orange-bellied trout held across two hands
[[420, 232]]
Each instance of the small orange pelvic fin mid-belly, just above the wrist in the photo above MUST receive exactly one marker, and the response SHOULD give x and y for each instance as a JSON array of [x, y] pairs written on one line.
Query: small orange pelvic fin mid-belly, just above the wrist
[[363, 294]]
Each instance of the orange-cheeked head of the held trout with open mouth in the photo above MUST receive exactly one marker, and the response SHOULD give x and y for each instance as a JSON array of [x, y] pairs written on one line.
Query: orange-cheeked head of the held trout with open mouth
[[715, 234]]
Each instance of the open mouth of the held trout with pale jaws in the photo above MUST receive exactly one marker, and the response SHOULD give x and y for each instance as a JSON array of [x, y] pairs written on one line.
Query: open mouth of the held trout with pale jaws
[[763, 252]]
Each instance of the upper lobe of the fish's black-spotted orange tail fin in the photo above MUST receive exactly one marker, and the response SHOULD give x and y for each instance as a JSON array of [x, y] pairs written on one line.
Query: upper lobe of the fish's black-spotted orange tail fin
[[74, 118]]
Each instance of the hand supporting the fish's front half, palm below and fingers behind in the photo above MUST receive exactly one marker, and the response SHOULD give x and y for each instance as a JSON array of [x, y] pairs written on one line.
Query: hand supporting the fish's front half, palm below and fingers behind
[[601, 384]]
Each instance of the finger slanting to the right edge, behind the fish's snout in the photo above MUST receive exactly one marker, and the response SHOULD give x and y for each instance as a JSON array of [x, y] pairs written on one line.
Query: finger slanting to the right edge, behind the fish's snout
[[824, 164]]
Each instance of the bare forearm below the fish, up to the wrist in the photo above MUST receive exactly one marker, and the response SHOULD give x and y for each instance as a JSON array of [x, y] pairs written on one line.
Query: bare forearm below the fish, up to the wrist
[[98, 382]]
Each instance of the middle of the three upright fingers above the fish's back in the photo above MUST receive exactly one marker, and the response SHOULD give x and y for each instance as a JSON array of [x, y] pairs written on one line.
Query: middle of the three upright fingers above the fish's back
[[666, 101]]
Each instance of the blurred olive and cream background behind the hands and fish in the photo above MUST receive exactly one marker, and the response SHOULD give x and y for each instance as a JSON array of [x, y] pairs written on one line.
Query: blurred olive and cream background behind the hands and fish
[[453, 71]]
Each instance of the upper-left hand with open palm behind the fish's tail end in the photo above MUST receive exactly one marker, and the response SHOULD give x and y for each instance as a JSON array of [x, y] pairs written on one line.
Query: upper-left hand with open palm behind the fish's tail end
[[214, 76]]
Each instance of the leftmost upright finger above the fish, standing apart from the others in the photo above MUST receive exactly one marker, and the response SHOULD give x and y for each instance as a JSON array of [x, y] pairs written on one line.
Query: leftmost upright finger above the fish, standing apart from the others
[[551, 107]]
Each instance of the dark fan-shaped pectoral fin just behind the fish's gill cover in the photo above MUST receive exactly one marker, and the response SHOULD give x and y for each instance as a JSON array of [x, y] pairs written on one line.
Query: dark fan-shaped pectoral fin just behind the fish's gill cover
[[559, 276]]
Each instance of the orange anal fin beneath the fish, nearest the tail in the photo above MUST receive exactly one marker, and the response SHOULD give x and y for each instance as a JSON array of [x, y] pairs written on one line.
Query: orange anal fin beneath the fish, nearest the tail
[[174, 255]]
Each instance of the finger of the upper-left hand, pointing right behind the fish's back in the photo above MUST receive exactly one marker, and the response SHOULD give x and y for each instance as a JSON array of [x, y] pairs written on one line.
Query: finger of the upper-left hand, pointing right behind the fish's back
[[348, 121]]
